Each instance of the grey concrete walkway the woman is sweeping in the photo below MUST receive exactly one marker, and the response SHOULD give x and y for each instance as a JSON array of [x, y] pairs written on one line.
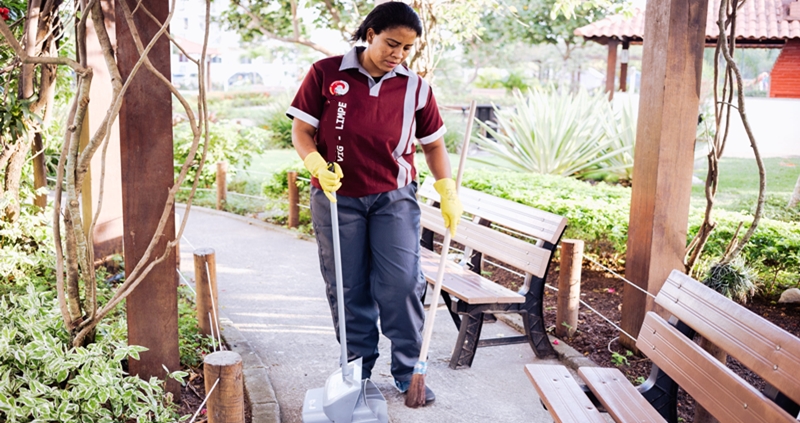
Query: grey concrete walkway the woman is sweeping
[[272, 298]]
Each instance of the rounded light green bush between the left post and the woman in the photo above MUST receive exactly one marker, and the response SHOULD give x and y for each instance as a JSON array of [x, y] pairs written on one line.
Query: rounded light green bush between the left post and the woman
[[228, 142]]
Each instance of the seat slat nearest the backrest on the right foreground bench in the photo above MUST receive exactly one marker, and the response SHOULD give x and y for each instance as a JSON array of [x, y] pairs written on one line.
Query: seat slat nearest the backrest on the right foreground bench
[[619, 397]]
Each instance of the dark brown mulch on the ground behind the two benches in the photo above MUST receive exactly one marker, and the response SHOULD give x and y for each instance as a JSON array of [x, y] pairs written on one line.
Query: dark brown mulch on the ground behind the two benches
[[598, 340]]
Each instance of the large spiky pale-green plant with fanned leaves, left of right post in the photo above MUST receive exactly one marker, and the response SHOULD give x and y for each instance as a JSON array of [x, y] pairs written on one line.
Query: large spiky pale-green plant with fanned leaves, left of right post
[[548, 132]]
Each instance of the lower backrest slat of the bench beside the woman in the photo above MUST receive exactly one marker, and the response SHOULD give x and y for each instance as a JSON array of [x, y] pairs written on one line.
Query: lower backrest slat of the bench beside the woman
[[515, 252]]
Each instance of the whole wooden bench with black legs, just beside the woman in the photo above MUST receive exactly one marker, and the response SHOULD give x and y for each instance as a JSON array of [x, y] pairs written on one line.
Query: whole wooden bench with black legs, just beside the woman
[[469, 295]]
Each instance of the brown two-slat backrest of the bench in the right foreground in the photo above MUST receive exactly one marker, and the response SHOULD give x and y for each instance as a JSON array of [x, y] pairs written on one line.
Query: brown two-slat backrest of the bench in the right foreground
[[758, 344]]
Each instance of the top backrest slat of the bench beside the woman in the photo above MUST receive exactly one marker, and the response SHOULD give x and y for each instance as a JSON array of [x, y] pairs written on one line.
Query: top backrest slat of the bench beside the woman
[[519, 217]]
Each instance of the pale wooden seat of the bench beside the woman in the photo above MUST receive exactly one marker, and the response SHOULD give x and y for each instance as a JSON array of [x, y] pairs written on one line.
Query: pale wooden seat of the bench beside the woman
[[466, 285]]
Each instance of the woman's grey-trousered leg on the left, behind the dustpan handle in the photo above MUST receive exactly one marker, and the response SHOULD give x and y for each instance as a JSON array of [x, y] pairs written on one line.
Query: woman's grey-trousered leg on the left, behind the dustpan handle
[[360, 308]]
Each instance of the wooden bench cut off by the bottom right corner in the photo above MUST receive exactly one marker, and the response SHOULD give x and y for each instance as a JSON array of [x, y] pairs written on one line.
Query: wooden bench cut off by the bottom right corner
[[759, 345]]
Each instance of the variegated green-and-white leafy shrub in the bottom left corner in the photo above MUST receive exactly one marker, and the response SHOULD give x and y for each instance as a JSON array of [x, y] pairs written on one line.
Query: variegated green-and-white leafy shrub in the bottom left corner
[[44, 379]]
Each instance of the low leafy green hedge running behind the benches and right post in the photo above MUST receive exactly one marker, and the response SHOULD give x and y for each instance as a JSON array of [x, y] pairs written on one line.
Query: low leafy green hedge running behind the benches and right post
[[599, 216]]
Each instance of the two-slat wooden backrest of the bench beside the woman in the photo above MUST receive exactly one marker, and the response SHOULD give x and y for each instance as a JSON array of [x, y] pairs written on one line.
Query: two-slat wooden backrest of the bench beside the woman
[[526, 220]]
